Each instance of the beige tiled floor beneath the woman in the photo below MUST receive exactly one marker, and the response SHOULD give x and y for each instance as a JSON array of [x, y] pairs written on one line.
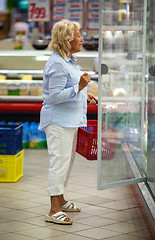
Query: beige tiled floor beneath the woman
[[111, 214]]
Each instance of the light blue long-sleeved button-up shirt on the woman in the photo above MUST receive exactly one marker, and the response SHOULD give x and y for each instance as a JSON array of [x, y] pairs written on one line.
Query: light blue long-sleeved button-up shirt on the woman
[[63, 105]]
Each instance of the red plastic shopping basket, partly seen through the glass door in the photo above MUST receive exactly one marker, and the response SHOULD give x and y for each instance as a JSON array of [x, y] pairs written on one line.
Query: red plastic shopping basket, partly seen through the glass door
[[87, 141]]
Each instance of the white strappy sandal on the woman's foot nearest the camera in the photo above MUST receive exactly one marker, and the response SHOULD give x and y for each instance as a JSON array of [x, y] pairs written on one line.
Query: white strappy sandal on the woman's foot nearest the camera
[[58, 217]]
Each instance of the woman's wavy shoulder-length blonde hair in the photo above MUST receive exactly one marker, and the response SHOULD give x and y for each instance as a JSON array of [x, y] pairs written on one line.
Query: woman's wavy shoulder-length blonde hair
[[62, 34]]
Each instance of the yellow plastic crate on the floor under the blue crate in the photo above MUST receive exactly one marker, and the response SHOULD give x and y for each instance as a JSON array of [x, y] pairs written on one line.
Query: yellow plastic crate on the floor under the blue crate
[[11, 167]]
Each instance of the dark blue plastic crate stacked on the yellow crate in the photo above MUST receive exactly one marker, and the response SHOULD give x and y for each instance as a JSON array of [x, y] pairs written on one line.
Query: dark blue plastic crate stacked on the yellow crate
[[11, 139]]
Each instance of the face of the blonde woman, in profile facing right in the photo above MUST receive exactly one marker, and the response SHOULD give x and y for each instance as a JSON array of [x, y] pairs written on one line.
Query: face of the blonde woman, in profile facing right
[[76, 43]]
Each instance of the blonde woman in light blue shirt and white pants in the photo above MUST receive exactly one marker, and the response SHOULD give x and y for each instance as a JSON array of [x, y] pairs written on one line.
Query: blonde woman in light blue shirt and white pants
[[64, 110]]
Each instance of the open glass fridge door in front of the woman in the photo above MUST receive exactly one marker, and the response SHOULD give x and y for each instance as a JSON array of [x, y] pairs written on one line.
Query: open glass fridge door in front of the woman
[[122, 126]]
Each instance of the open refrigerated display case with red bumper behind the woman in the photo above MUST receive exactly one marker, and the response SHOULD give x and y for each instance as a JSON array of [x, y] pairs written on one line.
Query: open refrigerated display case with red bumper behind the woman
[[21, 74]]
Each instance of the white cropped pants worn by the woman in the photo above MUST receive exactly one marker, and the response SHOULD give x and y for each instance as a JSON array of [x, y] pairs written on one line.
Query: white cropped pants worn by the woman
[[61, 143]]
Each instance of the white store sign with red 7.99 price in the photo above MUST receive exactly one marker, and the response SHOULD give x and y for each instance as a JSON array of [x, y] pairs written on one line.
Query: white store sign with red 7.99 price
[[39, 11]]
